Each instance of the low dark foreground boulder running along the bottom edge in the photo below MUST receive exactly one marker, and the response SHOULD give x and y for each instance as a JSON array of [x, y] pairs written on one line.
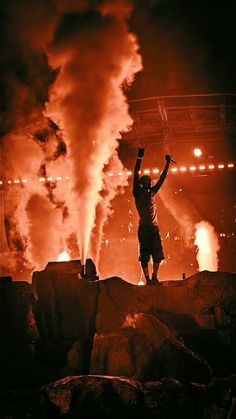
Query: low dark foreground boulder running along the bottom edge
[[103, 397]]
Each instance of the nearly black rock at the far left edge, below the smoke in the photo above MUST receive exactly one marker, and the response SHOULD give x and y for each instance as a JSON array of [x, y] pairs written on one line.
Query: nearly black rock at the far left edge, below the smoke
[[18, 330]]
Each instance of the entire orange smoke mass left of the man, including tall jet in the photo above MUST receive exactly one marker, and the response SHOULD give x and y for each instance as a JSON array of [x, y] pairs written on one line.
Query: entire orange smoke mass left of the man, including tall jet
[[90, 59]]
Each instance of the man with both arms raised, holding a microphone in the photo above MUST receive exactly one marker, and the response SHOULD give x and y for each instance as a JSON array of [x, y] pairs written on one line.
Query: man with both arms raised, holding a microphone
[[148, 231]]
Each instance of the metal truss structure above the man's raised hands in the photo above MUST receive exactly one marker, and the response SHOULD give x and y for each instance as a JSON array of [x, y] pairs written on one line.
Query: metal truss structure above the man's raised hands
[[183, 118]]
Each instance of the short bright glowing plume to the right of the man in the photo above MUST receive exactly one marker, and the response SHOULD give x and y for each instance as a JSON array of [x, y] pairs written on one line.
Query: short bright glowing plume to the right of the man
[[207, 244]]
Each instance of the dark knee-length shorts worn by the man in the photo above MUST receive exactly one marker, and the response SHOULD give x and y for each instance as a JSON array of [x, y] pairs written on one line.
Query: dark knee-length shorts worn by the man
[[149, 243]]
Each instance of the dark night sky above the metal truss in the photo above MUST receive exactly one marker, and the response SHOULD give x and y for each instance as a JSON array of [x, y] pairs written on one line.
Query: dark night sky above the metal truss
[[188, 47]]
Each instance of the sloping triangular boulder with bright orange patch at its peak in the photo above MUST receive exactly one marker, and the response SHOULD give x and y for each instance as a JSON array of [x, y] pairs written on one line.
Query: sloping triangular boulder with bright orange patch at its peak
[[146, 349]]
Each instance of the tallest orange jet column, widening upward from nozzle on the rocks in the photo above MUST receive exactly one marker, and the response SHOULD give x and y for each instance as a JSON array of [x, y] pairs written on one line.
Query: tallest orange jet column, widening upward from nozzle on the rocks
[[96, 57]]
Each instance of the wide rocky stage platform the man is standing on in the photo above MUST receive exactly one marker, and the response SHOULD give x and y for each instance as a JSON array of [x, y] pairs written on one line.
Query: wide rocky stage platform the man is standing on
[[61, 326]]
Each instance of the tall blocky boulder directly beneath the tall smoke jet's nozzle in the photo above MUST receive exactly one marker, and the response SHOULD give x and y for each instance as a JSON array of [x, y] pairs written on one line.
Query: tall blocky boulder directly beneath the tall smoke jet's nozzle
[[65, 312]]
